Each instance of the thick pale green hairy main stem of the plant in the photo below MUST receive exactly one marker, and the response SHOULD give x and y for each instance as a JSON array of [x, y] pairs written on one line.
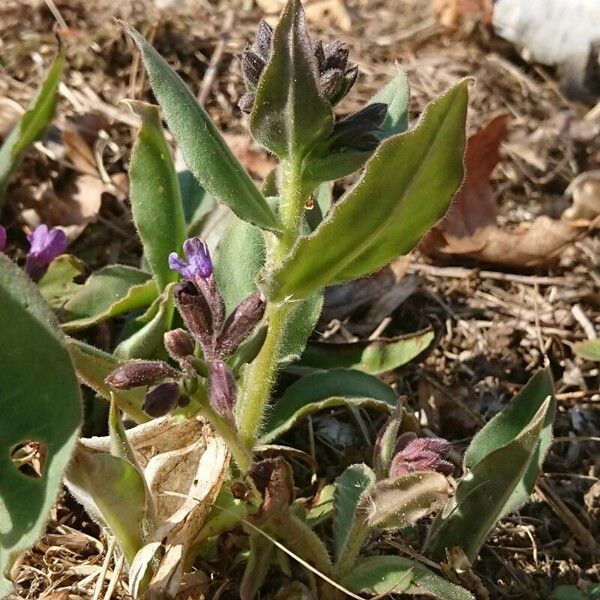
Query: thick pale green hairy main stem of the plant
[[260, 375]]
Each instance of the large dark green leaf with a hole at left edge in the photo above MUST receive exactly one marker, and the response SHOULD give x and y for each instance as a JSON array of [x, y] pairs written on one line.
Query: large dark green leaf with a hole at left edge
[[39, 402]]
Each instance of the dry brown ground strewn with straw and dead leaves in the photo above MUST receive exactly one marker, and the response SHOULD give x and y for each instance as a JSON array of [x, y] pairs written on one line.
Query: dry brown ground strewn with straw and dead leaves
[[496, 323]]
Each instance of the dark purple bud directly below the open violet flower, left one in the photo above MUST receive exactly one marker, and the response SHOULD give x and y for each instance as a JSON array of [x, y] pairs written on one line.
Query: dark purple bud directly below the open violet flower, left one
[[196, 314]]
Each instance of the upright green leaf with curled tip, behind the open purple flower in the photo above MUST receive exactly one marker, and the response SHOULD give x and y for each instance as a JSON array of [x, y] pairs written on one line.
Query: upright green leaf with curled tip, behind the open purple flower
[[156, 203]]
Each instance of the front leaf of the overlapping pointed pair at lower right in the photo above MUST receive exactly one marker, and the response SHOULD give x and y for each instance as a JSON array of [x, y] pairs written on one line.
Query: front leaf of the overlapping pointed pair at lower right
[[491, 483]]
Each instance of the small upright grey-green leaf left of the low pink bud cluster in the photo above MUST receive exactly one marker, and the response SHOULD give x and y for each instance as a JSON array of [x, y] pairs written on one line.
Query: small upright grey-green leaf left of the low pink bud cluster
[[351, 488]]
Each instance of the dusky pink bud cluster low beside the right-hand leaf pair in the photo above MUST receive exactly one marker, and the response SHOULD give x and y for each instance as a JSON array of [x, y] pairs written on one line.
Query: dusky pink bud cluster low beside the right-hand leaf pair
[[421, 454]]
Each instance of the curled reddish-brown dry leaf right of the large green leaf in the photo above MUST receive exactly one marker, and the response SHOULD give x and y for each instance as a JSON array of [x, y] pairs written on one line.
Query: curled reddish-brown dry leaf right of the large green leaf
[[469, 229]]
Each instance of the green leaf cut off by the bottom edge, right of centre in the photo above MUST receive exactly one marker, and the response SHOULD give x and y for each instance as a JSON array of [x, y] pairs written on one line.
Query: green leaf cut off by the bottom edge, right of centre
[[383, 575]]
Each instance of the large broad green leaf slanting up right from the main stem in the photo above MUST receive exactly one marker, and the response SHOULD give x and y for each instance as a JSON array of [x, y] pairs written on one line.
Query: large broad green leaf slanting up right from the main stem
[[407, 186]]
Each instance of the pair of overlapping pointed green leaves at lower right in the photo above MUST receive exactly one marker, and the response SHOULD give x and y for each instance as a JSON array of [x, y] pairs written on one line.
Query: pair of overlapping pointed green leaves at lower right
[[504, 460]]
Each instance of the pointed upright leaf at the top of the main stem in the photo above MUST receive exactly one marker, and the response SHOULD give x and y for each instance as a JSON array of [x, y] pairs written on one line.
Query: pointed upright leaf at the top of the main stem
[[289, 111]]
